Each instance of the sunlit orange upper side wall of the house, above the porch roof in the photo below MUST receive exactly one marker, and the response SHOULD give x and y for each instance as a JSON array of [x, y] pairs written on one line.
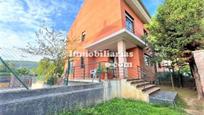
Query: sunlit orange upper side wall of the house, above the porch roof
[[98, 18]]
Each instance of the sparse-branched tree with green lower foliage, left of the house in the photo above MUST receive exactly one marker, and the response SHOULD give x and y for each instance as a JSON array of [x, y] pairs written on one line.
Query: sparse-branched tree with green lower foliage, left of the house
[[51, 45]]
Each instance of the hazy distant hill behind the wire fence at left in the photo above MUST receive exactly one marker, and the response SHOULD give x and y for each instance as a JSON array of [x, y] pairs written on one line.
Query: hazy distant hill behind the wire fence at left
[[22, 64]]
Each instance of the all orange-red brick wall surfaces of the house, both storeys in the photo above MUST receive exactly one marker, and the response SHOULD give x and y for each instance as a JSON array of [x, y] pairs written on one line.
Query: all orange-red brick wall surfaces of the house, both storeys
[[100, 18]]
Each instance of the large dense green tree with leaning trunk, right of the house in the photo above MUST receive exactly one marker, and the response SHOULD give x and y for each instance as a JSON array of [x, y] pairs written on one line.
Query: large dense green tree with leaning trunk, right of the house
[[176, 31]]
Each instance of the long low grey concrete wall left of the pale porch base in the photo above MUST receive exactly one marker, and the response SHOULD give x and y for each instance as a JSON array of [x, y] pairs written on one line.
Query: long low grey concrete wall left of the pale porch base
[[48, 100]]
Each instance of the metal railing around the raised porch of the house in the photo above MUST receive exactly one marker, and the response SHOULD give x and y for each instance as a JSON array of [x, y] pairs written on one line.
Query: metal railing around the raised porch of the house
[[103, 71]]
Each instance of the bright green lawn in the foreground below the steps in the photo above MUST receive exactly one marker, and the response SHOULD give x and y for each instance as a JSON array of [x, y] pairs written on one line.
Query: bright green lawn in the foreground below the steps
[[127, 107]]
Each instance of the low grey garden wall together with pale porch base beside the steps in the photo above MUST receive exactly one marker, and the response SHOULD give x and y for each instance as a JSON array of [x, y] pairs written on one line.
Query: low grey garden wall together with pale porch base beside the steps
[[48, 100]]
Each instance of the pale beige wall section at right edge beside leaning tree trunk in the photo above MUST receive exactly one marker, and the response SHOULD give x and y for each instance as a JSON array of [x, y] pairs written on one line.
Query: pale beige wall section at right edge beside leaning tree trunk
[[199, 60]]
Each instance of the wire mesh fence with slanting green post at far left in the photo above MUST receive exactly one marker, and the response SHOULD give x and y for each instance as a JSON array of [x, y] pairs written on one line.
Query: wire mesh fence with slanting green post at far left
[[17, 68]]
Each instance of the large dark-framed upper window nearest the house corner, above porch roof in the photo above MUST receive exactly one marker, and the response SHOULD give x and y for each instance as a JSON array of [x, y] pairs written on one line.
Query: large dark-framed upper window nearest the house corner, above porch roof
[[129, 21]]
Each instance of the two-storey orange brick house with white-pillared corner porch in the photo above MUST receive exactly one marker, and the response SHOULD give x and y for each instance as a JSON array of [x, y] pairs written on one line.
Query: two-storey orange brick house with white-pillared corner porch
[[110, 27]]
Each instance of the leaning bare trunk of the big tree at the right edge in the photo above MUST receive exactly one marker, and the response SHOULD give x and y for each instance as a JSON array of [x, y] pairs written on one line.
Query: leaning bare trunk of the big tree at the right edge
[[197, 79]]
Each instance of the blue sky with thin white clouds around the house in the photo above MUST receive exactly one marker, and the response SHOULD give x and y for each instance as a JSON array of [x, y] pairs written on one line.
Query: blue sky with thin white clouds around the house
[[20, 19]]
